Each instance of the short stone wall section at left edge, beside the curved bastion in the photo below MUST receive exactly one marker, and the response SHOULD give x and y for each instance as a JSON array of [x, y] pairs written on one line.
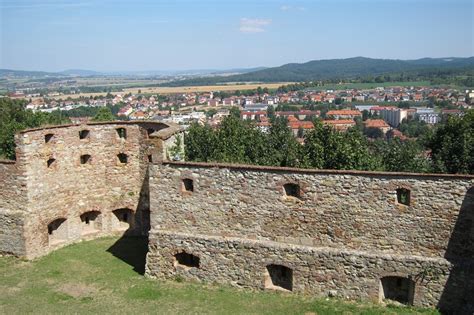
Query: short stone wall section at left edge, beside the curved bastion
[[12, 208]]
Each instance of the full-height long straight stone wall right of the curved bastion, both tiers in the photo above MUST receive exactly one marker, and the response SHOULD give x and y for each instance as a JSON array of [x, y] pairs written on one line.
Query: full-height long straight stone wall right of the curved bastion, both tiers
[[341, 234]]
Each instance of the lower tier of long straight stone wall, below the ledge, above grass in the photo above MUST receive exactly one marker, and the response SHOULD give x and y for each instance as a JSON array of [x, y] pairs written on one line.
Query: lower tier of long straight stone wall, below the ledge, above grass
[[316, 271]]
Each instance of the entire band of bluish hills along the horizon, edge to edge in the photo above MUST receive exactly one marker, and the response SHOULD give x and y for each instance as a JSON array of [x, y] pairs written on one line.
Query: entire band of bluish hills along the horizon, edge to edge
[[350, 68]]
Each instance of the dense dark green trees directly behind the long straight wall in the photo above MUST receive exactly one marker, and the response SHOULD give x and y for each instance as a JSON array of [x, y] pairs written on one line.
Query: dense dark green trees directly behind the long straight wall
[[236, 141]]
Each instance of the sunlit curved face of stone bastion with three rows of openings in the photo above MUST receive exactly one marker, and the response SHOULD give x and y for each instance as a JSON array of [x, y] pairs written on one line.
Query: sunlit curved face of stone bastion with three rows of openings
[[68, 189]]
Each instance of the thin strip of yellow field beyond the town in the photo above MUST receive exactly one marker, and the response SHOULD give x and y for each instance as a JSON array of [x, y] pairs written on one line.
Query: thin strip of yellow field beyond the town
[[182, 89]]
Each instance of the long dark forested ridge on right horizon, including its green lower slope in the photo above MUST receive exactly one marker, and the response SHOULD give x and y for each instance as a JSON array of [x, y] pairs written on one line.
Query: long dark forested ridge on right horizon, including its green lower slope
[[455, 71]]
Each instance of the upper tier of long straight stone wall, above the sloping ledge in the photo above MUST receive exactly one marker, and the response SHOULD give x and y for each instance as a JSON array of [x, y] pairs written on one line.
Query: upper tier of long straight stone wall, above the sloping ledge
[[352, 210]]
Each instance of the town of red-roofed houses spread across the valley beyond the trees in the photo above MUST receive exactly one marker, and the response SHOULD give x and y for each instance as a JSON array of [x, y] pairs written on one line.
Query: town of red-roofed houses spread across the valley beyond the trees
[[184, 108]]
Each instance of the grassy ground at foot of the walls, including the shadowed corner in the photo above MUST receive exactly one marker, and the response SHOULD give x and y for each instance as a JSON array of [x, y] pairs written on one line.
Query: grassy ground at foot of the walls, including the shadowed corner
[[105, 276]]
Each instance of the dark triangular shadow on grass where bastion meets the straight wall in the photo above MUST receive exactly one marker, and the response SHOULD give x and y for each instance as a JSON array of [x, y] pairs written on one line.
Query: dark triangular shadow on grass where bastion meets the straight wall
[[132, 250]]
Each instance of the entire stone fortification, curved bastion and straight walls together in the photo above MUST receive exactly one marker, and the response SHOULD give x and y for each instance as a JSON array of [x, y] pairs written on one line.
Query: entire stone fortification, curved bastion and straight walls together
[[349, 234]]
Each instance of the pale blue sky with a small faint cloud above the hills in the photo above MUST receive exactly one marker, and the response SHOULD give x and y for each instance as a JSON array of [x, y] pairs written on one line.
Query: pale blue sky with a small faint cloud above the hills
[[118, 35]]
